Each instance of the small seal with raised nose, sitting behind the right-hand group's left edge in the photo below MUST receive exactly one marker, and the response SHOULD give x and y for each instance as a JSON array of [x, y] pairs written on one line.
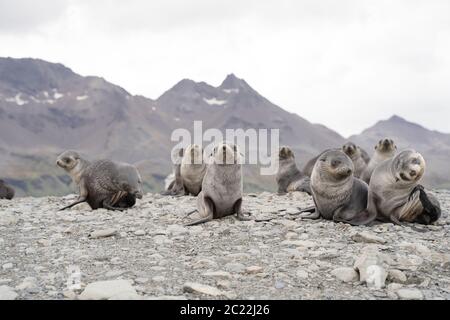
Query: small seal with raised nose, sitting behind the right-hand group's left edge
[[289, 178]]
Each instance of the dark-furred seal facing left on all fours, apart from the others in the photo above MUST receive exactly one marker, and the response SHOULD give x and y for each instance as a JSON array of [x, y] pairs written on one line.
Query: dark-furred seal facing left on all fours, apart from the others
[[102, 183]]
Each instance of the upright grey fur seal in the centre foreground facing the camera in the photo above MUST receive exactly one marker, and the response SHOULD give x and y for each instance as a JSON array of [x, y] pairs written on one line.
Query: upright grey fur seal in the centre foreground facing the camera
[[222, 185]]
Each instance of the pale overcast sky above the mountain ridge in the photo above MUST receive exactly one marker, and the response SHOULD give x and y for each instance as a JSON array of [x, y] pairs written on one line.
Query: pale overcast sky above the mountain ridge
[[345, 64]]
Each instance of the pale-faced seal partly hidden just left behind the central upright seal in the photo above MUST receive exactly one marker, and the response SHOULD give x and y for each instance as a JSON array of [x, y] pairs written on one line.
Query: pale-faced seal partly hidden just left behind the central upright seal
[[193, 169]]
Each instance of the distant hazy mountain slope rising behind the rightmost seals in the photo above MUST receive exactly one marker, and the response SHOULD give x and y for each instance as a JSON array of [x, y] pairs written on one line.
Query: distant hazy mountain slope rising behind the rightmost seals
[[435, 146]]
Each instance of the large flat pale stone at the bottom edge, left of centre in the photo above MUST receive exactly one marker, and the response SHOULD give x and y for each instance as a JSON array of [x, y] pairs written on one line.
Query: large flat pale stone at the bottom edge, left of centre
[[104, 290]]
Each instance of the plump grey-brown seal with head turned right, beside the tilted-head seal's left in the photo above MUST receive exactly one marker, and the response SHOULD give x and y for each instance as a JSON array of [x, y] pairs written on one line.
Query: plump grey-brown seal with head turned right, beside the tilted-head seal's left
[[337, 194]]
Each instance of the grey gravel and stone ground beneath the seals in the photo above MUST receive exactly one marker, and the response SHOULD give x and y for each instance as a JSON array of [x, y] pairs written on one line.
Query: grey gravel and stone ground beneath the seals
[[146, 253]]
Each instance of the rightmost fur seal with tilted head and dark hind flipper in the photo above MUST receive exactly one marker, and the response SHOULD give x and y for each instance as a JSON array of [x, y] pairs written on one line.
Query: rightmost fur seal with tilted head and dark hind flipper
[[395, 194]]
